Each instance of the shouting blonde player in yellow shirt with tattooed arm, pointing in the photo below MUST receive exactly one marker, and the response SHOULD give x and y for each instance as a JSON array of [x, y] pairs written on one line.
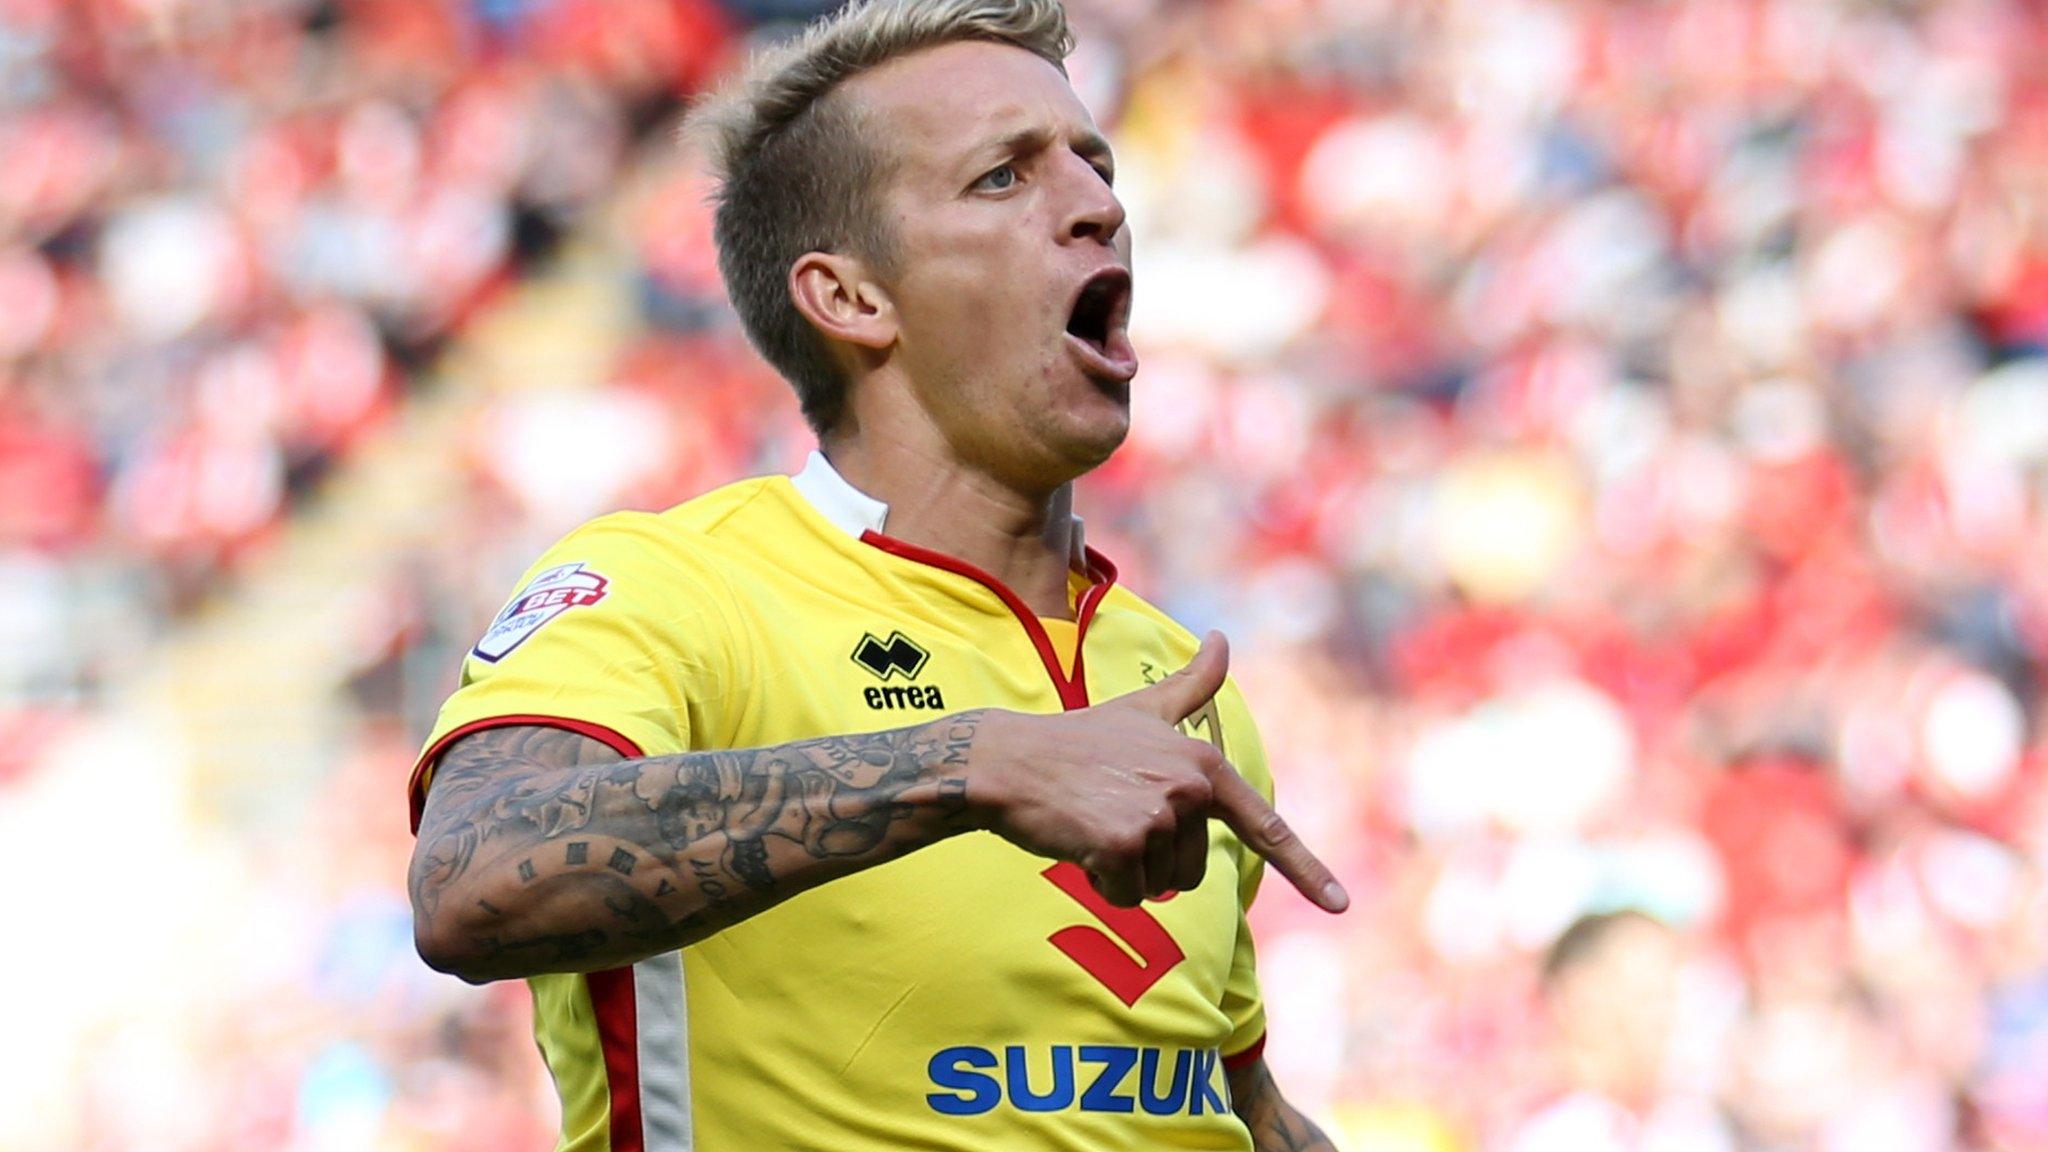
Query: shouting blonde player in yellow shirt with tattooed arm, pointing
[[863, 811]]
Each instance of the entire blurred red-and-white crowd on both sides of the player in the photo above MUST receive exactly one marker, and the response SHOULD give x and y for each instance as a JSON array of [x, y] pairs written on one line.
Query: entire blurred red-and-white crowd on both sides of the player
[[1615, 436]]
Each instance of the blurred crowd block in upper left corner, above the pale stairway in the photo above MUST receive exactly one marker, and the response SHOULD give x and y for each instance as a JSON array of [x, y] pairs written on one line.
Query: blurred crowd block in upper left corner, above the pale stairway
[[232, 235]]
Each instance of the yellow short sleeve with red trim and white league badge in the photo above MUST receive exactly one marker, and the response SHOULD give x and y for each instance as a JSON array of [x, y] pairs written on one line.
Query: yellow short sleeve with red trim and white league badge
[[611, 634]]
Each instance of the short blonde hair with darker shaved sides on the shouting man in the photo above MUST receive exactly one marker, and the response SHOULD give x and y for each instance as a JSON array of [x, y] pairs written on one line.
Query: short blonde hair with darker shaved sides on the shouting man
[[800, 171]]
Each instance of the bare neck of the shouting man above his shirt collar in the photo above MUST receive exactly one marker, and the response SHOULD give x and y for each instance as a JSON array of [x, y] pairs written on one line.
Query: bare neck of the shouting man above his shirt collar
[[937, 503]]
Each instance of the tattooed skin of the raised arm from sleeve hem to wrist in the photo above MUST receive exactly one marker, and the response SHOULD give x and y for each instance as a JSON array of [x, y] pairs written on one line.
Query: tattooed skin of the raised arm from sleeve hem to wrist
[[546, 852]]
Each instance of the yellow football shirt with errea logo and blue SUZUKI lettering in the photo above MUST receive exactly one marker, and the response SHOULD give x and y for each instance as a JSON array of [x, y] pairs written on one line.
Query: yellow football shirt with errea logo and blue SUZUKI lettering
[[966, 997]]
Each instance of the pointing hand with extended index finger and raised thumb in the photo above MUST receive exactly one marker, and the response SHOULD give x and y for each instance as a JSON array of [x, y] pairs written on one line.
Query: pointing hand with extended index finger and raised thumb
[[1123, 794]]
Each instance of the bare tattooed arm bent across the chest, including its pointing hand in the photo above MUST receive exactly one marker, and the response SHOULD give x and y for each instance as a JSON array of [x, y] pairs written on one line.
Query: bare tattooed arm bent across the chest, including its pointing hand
[[544, 852]]
